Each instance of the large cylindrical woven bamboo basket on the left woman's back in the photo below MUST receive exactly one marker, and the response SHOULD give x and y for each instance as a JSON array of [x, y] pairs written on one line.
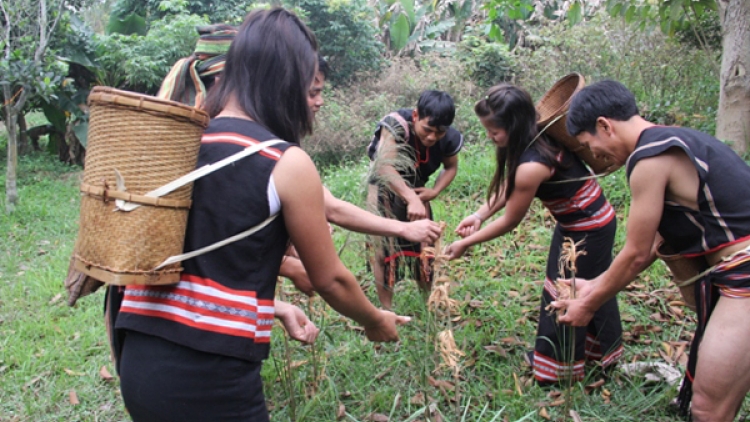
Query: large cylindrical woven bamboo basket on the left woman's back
[[149, 142]]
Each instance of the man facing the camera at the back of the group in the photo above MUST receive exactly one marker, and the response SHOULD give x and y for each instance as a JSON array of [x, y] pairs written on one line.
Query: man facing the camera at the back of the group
[[408, 146]]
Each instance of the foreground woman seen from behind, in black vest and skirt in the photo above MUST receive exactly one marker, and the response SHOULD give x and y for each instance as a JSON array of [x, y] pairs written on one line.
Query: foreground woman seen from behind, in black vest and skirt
[[193, 351]]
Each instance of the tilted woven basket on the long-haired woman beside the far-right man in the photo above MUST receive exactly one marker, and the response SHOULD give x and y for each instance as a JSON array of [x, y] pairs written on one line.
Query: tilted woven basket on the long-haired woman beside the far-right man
[[553, 108]]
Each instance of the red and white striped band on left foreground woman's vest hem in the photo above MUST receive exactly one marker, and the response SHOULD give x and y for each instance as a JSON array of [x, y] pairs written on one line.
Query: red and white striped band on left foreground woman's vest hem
[[204, 304]]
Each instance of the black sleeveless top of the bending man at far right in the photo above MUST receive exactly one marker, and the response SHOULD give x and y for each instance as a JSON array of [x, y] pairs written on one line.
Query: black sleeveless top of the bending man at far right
[[723, 215]]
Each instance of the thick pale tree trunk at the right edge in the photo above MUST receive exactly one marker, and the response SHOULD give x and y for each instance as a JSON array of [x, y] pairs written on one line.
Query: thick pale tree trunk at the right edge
[[733, 119]]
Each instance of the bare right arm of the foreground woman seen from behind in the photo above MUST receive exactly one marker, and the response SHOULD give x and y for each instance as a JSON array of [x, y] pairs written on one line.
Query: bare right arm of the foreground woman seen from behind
[[301, 194]]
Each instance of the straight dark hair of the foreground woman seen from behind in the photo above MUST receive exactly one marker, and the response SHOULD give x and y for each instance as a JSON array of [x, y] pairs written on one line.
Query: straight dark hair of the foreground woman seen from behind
[[269, 69]]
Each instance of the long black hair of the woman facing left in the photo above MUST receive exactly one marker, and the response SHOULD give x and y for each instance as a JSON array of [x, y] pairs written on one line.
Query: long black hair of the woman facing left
[[510, 108]]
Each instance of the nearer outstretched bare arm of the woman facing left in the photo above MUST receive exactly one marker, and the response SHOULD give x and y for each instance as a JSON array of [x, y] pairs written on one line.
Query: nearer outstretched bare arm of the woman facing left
[[528, 178]]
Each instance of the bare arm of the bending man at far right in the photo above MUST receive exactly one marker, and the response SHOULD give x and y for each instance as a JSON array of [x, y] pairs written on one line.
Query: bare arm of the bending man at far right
[[648, 183]]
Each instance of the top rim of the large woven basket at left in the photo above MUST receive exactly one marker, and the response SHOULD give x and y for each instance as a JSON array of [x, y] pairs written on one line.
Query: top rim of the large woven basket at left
[[105, 95]]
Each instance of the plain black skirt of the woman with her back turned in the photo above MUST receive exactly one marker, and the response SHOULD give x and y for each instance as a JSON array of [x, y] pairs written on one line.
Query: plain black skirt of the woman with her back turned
[[162, 381]]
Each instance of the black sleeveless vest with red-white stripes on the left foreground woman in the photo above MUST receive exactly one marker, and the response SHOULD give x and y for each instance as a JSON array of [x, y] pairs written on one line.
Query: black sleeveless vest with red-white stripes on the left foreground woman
[[224, 302]]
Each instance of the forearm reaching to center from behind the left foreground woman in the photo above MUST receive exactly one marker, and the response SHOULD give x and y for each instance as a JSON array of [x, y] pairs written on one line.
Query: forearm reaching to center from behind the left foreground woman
[[351, 217]]
